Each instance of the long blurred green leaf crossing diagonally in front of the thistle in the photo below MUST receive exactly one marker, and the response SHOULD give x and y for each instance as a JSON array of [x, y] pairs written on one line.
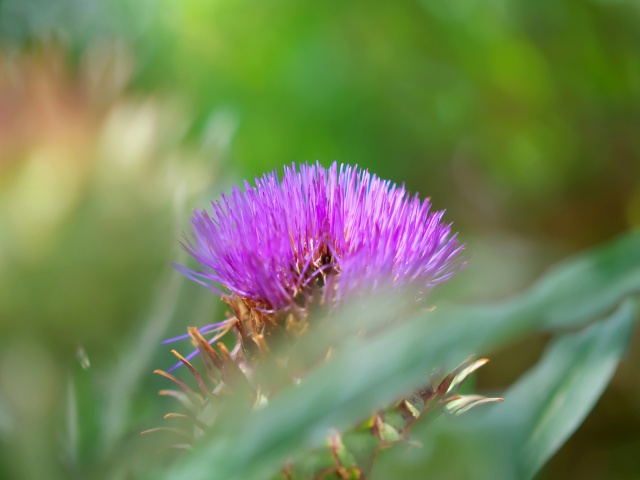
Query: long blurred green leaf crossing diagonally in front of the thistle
[[368, 372]]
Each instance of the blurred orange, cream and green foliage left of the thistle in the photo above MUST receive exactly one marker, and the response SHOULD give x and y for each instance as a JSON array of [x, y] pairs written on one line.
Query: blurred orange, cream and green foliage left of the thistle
[[93, 185]]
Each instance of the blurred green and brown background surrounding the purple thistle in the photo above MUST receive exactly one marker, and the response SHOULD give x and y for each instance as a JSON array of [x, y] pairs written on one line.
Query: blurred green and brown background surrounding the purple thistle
[[117, 117]]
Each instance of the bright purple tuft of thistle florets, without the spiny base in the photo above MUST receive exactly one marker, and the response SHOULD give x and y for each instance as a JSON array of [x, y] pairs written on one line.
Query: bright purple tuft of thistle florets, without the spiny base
[[319, 234]]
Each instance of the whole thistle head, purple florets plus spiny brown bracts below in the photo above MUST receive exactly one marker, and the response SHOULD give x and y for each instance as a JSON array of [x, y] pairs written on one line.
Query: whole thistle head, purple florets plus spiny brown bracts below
[[317, 235]]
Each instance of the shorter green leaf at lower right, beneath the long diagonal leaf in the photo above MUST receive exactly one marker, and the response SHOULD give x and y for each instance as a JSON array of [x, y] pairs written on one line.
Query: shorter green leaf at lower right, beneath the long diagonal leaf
[[540, 412]]
